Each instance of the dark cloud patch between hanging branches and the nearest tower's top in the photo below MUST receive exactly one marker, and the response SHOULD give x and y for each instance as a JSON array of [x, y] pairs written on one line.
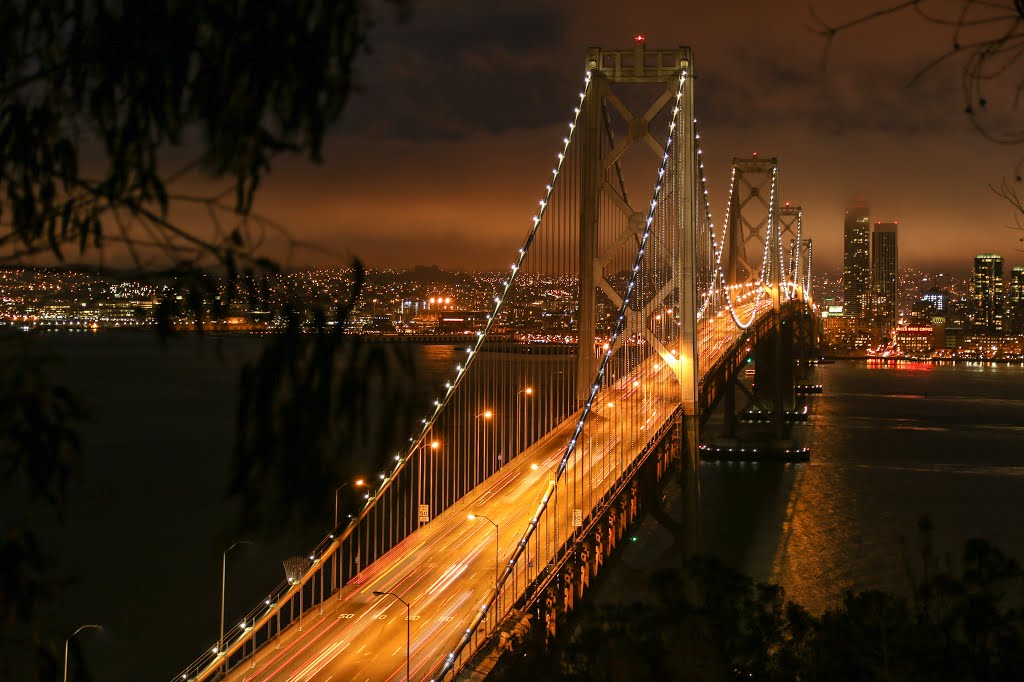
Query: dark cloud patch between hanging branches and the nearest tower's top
[[461, 67]]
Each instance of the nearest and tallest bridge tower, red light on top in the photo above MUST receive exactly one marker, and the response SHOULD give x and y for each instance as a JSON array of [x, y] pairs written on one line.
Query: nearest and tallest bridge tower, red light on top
[[623, 120]]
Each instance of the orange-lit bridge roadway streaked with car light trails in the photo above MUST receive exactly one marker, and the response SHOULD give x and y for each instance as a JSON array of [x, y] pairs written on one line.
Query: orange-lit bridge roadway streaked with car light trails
[[446, 570]]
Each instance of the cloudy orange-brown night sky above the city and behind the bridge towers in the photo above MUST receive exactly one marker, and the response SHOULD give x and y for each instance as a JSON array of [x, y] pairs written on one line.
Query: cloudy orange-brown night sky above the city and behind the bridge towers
[[441, 158]]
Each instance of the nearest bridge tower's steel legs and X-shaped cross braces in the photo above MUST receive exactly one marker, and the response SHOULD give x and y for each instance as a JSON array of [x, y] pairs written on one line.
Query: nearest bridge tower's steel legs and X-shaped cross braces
[[613, 71]]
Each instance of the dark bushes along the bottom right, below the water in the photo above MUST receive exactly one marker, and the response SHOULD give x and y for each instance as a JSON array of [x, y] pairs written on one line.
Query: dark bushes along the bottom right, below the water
[[967, 627]]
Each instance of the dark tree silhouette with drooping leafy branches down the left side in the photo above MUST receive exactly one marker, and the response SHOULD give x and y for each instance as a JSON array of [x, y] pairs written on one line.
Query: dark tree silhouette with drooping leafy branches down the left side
[[112, 113]]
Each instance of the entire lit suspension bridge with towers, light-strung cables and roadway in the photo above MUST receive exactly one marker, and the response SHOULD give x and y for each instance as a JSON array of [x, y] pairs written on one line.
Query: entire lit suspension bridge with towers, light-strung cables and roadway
[[622, 321]]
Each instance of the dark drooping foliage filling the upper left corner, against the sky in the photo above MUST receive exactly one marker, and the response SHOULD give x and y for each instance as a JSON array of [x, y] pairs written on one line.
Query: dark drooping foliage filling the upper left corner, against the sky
[[96, 93]]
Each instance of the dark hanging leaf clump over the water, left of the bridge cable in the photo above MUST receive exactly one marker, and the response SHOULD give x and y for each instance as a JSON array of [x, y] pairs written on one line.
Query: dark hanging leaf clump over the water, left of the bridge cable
[[314, 398]]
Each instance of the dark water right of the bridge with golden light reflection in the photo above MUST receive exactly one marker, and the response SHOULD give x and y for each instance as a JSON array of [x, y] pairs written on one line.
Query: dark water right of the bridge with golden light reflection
[[887, 448]]
